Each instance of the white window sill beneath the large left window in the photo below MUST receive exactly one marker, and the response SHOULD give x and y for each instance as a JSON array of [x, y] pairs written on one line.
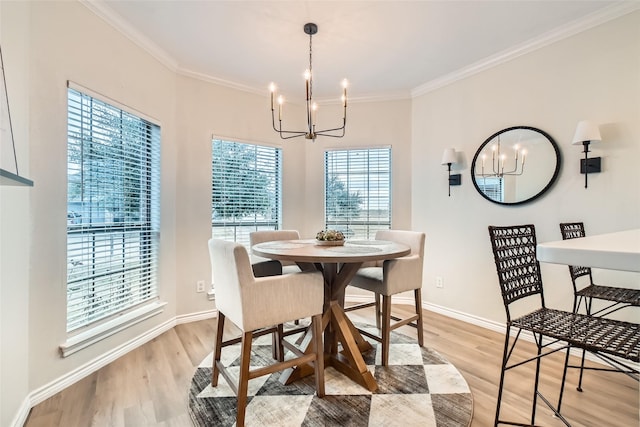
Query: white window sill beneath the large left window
[[104, 330]]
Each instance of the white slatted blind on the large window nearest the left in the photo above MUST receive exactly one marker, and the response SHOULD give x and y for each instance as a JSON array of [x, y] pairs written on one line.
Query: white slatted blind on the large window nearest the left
[[113, 210]]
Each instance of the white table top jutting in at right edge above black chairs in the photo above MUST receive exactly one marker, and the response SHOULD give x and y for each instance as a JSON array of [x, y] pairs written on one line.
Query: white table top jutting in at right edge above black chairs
[[612, 251]]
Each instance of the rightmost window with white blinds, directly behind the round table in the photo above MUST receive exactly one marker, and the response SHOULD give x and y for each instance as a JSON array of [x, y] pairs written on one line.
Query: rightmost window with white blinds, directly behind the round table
[[358, 191]]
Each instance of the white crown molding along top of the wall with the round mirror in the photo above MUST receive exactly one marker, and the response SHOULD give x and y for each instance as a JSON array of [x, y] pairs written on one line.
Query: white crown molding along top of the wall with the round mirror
[[590, 21]]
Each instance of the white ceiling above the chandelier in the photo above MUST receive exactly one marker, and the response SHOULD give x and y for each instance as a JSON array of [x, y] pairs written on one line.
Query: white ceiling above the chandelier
[[386, 49]]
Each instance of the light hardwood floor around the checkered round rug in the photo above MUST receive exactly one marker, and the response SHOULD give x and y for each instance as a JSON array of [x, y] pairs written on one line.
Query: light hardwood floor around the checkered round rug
[[149, 386]]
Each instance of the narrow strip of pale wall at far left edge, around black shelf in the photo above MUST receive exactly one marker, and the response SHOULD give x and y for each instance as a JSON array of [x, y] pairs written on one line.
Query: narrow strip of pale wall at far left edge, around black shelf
[[15, 230]]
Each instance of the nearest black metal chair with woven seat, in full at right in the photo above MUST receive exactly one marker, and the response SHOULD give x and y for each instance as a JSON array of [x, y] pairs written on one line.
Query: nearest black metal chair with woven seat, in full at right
[[613, 341]]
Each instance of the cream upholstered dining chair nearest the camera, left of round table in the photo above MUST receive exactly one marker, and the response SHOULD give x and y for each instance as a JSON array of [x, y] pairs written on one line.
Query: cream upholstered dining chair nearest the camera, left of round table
[[256, 306]]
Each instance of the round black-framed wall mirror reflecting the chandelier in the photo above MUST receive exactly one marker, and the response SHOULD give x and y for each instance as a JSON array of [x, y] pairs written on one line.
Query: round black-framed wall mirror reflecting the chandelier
[[515, 165]]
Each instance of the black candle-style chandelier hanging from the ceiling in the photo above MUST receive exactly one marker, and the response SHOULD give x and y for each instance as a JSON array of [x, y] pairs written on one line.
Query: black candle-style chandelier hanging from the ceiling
[[311, 107]]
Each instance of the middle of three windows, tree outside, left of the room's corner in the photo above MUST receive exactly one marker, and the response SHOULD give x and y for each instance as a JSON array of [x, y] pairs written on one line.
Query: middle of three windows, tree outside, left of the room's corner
[[246, 190]]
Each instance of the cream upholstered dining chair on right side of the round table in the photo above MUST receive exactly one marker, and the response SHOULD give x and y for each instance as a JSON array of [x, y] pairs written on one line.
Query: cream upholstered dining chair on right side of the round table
[[392, 277]]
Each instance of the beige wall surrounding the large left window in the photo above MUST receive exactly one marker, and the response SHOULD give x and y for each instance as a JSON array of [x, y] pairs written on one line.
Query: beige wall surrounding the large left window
[[68, 42]]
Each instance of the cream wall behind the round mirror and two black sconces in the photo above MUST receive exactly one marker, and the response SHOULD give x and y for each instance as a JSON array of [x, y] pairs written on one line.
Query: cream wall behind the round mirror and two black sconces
[[593, 75]]
